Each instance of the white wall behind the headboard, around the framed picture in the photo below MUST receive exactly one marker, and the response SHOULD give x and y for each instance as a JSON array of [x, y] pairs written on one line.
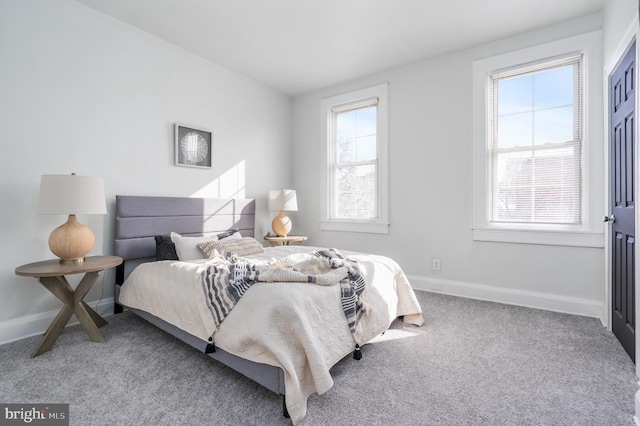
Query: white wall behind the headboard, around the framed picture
[[81, 92]]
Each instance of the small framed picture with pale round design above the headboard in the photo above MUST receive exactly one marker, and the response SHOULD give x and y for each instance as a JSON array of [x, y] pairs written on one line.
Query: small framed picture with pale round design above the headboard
[[192, 147]]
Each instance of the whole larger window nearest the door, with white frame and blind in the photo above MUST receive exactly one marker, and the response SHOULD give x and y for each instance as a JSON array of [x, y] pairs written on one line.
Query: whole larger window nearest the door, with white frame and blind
[[531, 147]]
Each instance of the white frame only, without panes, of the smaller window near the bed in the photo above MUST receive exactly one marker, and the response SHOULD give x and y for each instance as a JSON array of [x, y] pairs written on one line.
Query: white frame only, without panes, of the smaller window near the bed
[[380, 224]]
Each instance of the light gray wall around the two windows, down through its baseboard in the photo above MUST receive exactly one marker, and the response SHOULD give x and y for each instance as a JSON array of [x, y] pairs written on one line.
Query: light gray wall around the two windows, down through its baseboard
[[431, 188]]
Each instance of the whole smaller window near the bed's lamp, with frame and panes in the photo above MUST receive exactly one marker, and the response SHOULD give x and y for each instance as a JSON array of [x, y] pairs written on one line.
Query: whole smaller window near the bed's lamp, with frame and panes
[[355, 169]]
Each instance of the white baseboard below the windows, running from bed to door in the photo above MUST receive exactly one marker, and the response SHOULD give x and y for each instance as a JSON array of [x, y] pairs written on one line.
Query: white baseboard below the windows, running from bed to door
[[530, 299]]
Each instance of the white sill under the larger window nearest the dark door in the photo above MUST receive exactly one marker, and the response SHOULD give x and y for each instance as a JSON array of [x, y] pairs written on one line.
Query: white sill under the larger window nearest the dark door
[[553, 238]]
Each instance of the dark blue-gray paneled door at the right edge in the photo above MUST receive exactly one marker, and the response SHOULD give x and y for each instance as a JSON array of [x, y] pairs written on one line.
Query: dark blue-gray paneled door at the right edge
[[622, 218]]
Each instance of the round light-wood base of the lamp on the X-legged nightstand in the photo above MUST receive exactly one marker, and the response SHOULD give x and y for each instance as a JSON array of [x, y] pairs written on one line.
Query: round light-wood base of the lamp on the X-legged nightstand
[[71, 241]]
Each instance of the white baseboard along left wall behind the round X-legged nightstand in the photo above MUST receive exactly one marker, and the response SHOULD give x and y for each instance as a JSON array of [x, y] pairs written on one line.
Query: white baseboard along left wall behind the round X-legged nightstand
[[35, 324]]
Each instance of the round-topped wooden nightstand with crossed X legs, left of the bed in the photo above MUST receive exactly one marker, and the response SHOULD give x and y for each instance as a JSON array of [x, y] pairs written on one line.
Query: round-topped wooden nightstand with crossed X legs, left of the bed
[[51, 274]]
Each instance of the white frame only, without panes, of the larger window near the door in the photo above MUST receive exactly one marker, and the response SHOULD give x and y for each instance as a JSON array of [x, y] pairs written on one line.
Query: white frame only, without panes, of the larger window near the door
[[584, 234]]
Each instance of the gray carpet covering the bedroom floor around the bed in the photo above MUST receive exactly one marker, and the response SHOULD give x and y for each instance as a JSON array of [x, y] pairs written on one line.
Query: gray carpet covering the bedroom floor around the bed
[[473, 363]]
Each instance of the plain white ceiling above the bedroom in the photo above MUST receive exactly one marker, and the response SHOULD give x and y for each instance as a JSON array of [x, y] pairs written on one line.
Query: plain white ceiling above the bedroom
[[298, 46]]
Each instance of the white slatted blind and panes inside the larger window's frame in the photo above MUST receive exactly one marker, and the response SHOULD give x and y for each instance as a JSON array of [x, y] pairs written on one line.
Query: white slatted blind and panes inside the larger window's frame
[[535, 143]]
